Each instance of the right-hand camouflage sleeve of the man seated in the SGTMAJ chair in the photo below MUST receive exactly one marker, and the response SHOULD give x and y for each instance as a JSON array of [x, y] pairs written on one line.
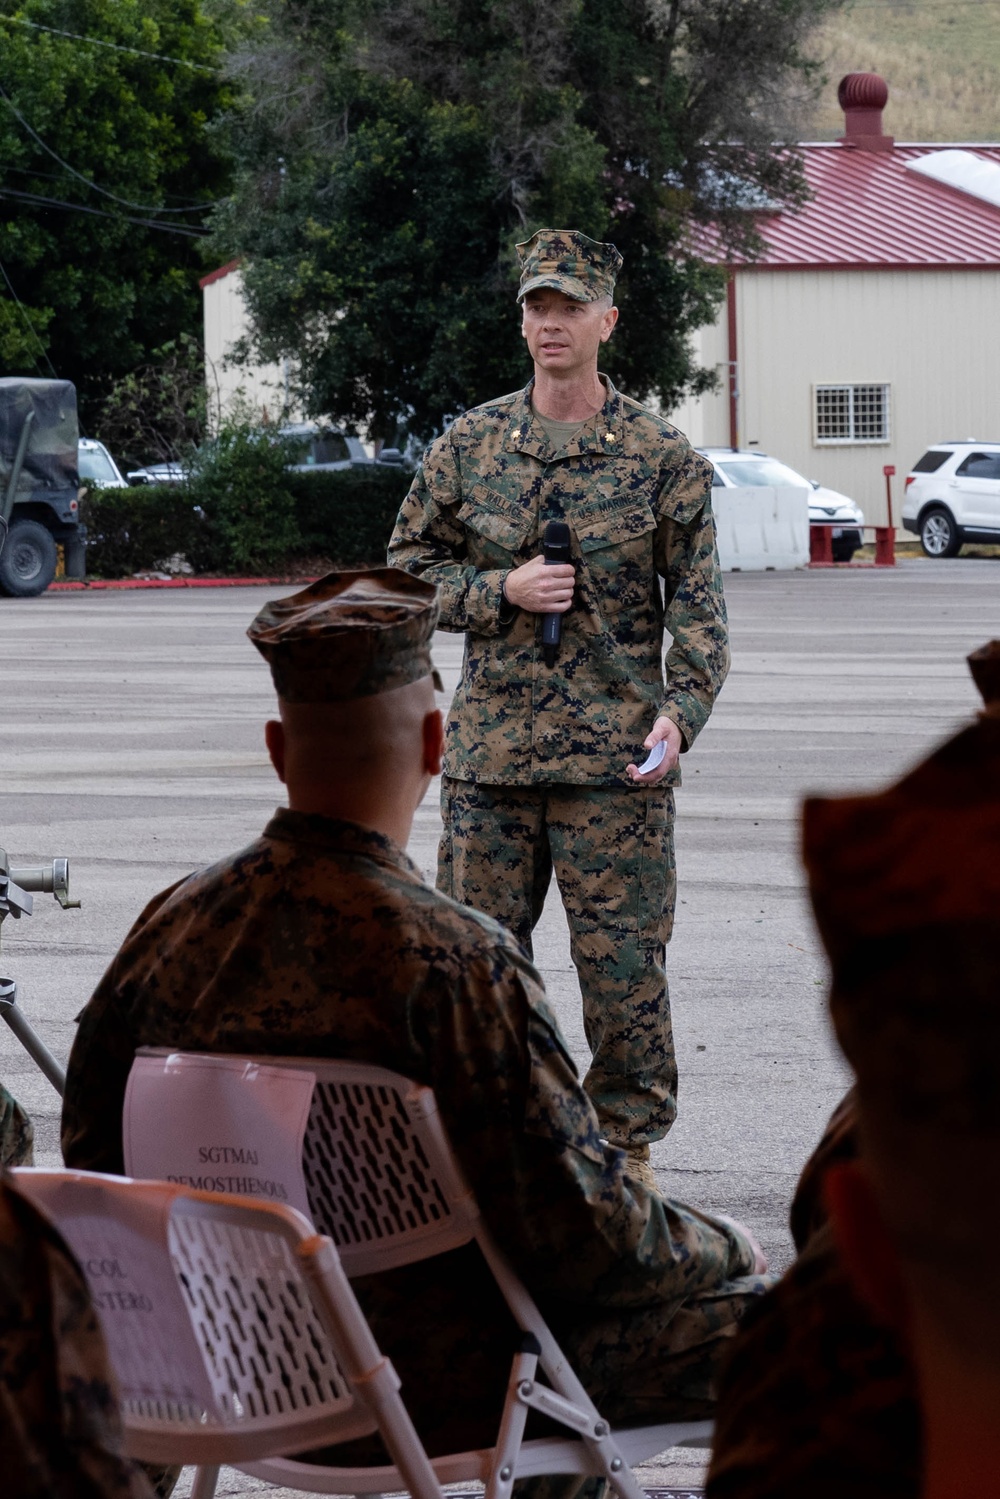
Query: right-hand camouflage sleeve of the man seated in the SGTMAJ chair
[[558, 1200]]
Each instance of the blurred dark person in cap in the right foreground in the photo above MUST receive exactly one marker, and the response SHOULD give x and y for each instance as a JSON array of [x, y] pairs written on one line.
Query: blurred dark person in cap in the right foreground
[[873, 1366]]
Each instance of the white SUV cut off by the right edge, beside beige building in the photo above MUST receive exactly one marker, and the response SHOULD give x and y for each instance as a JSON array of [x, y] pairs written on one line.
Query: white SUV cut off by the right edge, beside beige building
[[953, 495]]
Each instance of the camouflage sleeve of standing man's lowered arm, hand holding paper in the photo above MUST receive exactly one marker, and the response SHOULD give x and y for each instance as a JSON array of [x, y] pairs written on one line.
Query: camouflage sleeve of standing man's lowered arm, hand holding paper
[[687, 560]]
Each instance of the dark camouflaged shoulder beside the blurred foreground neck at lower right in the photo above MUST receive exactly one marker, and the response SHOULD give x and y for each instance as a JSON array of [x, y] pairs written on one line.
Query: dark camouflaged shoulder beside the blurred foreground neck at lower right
[[816, 1399]]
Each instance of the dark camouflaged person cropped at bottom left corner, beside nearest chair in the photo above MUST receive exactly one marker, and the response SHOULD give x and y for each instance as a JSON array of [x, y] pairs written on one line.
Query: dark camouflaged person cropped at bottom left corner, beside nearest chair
[[61, 1432]]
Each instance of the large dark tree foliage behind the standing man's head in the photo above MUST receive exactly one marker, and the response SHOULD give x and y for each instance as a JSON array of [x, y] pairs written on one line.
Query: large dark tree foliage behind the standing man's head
[[394, 152]]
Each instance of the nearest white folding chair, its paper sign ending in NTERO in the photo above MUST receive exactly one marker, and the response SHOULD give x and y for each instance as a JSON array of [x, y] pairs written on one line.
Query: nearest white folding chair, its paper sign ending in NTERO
[[230, 1324]]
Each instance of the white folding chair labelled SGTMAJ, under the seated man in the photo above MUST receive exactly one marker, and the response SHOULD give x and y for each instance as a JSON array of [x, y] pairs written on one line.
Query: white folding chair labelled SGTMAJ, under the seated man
[[377, 1173]]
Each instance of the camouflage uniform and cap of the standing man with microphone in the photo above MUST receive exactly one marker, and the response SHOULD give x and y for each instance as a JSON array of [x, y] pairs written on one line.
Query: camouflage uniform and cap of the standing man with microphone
[[536, 755]]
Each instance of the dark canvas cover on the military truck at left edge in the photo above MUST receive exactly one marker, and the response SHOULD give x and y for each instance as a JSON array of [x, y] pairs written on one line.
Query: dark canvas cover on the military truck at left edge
[[52, 456]]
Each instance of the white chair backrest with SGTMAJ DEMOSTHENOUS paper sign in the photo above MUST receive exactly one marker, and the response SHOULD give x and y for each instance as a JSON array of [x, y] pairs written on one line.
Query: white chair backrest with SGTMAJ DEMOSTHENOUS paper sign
[[371, 1162]]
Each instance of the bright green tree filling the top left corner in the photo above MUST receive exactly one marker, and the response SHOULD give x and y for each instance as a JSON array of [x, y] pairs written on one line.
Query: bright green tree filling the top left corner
[[109, 169]]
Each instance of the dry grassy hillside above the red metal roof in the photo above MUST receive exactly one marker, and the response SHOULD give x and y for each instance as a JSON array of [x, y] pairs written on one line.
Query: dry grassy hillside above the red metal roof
[[941, 59]]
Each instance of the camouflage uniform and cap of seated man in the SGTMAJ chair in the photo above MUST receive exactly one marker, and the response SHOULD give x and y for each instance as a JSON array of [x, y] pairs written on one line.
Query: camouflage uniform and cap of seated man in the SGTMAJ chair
[[322, 941]]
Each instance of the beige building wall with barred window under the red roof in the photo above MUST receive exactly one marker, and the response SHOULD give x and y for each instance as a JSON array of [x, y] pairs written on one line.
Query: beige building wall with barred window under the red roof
[[930, 335]]
